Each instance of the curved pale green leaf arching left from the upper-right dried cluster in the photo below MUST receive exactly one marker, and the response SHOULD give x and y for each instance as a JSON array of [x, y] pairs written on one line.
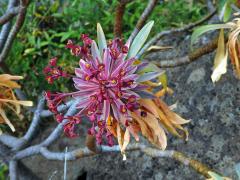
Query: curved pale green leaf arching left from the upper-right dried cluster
[[201, 30]]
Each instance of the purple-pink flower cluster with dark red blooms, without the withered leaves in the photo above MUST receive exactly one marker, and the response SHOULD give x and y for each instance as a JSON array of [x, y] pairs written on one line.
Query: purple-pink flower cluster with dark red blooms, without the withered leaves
[[105, 85]]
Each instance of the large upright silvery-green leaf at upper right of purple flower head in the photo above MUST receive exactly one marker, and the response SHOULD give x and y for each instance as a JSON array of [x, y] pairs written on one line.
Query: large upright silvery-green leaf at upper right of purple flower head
[[140, 39]]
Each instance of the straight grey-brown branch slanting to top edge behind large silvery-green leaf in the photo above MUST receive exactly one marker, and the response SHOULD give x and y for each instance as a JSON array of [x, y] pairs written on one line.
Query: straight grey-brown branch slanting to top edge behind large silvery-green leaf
[[142, 19]]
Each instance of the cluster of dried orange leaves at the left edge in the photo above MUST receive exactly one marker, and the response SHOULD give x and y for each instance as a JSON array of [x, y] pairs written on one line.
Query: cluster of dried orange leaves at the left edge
[[8, 99]]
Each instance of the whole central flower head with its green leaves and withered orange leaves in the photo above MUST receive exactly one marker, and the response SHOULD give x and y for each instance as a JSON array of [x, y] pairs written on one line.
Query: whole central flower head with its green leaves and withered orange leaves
[[115, 92]]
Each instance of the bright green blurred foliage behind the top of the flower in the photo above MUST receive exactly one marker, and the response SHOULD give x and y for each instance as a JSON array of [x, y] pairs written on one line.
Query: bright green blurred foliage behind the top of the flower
[[50, 23]]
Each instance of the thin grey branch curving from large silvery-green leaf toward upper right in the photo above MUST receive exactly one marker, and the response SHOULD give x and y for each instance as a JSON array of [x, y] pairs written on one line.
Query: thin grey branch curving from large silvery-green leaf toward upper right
[[157, 37]]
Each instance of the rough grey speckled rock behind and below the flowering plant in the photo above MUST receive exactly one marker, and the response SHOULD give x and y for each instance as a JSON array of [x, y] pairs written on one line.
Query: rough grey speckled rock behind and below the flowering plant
[[214, 110]]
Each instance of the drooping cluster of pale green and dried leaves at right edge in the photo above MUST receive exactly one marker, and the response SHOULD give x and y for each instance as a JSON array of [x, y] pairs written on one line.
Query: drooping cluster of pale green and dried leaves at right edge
[[233, 46]]
